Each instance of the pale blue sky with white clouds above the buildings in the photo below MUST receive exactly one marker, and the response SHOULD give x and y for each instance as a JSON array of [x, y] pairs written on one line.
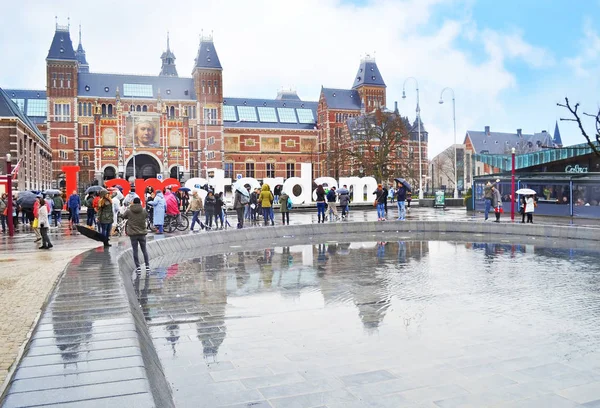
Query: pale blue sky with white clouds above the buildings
[[508, 62]]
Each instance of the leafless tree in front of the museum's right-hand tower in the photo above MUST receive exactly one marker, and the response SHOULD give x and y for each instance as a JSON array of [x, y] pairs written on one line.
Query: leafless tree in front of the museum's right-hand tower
[[375, 141]]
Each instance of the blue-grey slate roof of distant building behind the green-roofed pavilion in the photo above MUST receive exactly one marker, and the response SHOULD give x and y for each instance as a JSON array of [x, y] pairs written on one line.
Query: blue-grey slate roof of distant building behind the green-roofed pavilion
[[502, 143]]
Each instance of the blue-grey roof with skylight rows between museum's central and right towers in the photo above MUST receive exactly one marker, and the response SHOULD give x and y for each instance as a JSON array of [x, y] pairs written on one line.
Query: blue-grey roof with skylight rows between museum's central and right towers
[[276, 122]]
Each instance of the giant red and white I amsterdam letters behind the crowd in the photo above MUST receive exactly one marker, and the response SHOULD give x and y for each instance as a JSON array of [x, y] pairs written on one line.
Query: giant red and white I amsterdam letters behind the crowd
[[218, 182]]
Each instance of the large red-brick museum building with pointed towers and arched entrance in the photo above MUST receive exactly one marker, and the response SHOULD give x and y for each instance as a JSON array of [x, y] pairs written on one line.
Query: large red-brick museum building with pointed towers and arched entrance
[[118, 125]]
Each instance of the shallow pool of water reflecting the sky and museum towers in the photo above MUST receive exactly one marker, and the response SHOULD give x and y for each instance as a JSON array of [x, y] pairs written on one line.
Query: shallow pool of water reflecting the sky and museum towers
[[379, 324]]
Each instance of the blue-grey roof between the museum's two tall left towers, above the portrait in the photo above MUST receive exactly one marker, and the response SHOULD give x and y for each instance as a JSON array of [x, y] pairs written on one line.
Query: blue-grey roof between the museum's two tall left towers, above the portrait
[[105, 85]]
